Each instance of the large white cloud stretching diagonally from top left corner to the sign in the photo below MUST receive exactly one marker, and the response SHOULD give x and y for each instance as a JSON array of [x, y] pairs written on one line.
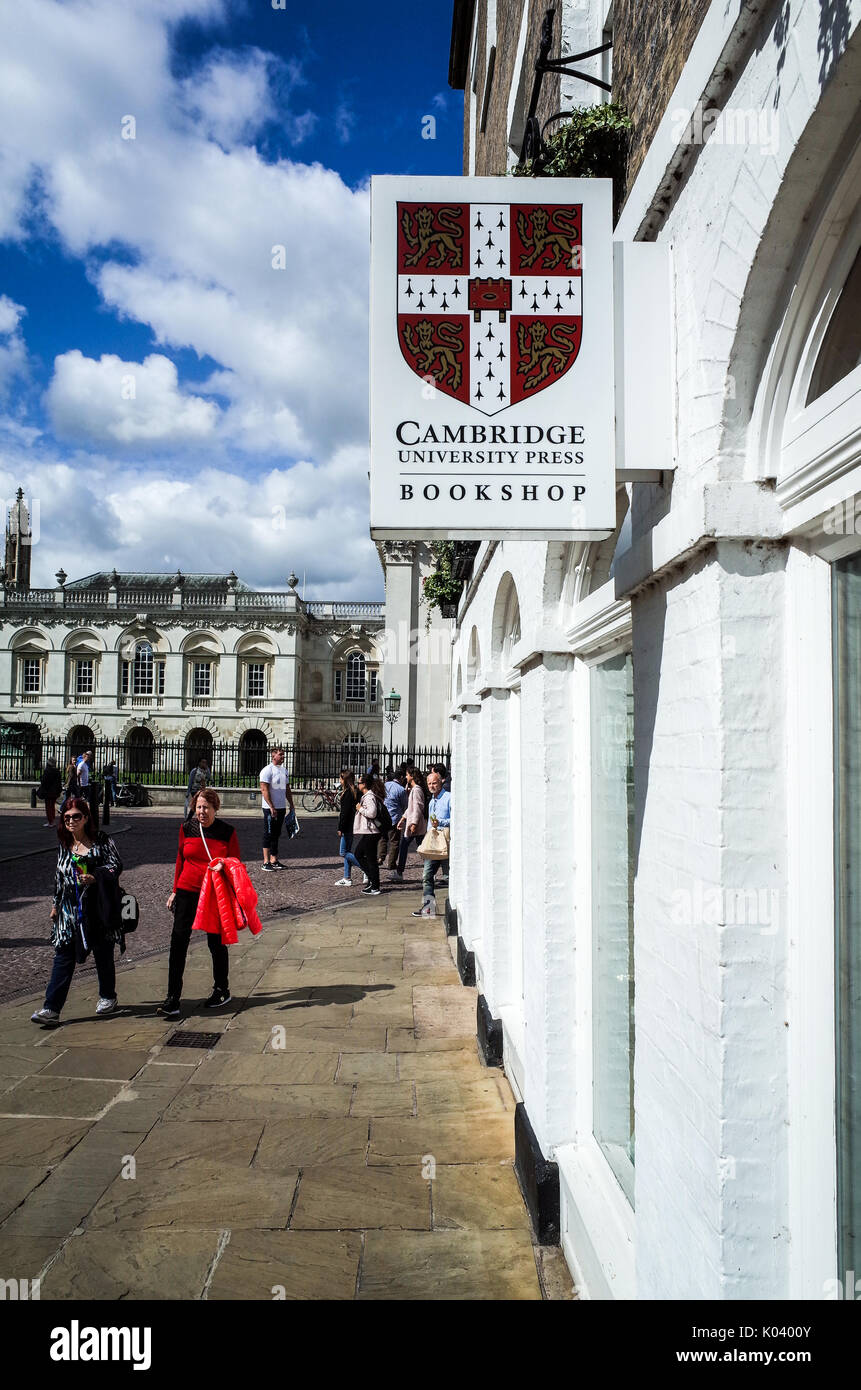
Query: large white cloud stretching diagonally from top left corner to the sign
[[201, 220]]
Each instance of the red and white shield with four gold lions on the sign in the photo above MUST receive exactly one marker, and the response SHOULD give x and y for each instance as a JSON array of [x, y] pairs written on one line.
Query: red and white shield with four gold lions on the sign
[[490, 298]]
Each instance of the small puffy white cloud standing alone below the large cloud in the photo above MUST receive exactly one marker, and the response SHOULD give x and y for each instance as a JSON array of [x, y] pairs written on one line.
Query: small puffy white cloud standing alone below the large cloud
[[115, 402]]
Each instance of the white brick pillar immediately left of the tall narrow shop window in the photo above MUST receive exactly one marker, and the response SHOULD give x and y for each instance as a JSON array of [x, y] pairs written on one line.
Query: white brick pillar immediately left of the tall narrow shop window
[[549, 897]]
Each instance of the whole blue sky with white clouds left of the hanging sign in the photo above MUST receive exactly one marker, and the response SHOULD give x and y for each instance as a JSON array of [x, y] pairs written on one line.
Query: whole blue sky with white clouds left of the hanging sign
[[184, 275]]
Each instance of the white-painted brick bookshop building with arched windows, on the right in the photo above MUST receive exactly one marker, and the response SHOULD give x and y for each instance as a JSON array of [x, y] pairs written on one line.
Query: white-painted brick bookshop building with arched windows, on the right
[[657, 746]]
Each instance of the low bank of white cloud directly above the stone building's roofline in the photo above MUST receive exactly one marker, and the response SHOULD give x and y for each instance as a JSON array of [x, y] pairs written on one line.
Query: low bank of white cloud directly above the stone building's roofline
[[307, 518]]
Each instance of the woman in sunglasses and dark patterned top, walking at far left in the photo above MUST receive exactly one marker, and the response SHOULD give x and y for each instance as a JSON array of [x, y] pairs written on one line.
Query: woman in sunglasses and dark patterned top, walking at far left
[[87, 911]]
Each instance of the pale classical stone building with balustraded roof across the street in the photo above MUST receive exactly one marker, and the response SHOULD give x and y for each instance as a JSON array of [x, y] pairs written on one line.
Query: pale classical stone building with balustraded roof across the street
[[200, 658]]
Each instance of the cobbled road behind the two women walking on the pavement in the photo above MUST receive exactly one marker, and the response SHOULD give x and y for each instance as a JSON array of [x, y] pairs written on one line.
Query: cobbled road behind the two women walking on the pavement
[[148, 844]]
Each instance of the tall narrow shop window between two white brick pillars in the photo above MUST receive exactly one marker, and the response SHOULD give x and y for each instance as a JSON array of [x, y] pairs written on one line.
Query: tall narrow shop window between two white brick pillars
[[613, 817]]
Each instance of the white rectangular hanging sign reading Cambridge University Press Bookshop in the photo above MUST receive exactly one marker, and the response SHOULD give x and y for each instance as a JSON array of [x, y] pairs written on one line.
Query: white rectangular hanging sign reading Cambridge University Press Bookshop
[[492, 359]]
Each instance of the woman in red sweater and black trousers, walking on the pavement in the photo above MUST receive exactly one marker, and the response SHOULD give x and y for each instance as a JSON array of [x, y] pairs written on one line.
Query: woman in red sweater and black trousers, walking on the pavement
[[188, 881]]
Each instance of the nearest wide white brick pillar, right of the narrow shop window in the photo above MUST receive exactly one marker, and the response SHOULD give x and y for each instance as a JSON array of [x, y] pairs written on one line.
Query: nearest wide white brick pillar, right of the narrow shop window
[[711, 932]]
